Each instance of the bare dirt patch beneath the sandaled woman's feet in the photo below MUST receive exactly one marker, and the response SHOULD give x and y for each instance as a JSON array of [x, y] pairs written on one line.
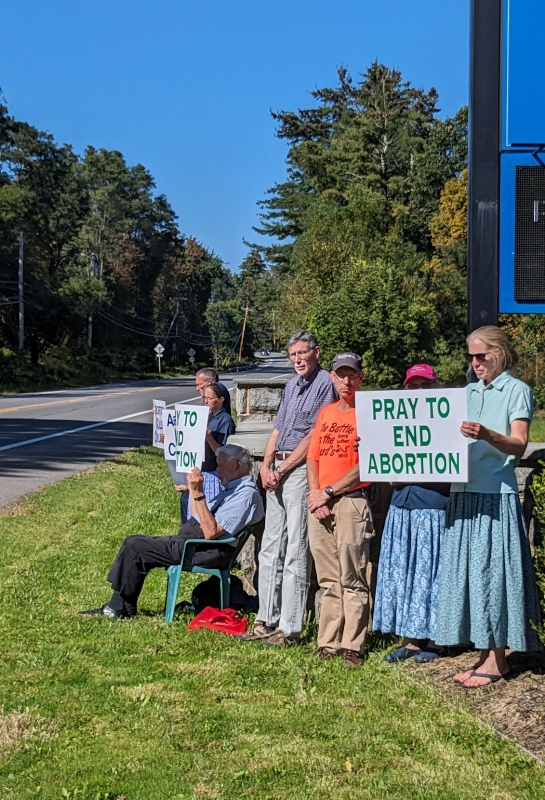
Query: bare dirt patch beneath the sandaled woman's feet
[[515, 707]]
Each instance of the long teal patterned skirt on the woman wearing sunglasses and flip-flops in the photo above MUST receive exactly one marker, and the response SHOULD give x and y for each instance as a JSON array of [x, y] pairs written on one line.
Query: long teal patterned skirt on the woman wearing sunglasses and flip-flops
[[488, 593]]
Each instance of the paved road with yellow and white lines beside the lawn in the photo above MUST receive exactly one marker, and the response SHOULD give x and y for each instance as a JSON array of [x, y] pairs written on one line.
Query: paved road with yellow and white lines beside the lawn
[[46, 436]]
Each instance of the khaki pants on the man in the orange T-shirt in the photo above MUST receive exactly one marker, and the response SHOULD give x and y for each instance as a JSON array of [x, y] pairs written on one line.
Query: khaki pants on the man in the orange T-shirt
[[340, 547]]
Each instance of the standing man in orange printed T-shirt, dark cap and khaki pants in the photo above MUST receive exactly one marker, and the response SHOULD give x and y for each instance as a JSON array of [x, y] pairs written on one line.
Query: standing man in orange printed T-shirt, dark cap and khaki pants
[[340, 522]]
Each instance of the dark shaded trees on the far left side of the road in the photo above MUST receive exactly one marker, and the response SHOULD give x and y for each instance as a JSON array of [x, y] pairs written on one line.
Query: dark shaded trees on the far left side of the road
[[99, 243]]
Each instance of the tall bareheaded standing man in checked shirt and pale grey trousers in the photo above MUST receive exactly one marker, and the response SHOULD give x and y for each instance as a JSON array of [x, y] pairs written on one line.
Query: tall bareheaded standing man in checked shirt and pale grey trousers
[[284, 560]]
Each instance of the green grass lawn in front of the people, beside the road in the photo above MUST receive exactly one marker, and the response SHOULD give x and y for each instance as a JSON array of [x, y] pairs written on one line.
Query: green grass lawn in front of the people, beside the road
[[137, 710]]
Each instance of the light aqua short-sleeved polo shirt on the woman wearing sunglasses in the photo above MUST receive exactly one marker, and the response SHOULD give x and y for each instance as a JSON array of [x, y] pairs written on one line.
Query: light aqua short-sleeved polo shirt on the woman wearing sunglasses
[[495, 406]]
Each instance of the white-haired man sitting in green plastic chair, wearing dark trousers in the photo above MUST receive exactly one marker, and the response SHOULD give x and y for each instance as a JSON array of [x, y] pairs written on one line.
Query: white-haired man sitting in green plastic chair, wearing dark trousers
[[234, 508]]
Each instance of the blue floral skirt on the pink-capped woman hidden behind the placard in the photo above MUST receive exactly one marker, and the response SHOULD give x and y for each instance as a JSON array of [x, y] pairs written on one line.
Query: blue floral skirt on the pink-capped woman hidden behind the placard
[[406, 599]]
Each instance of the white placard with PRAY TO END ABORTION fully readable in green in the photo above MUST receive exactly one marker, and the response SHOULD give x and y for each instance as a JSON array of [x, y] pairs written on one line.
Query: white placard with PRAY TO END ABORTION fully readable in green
[[412, 436]]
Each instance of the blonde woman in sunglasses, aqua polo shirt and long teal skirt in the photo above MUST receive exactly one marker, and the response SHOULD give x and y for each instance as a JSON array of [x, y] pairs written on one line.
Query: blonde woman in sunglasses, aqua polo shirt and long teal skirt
[[487, 593]]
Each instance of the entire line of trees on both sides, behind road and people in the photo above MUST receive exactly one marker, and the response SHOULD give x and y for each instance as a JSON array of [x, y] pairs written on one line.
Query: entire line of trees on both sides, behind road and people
[[363, 242]]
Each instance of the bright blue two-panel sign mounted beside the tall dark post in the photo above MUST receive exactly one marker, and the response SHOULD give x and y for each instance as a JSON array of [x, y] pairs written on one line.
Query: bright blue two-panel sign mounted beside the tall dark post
[[522, 160]]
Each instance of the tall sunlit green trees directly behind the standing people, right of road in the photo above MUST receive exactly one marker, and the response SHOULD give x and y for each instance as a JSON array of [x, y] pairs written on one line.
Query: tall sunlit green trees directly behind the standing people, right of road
[[368, 237]]
